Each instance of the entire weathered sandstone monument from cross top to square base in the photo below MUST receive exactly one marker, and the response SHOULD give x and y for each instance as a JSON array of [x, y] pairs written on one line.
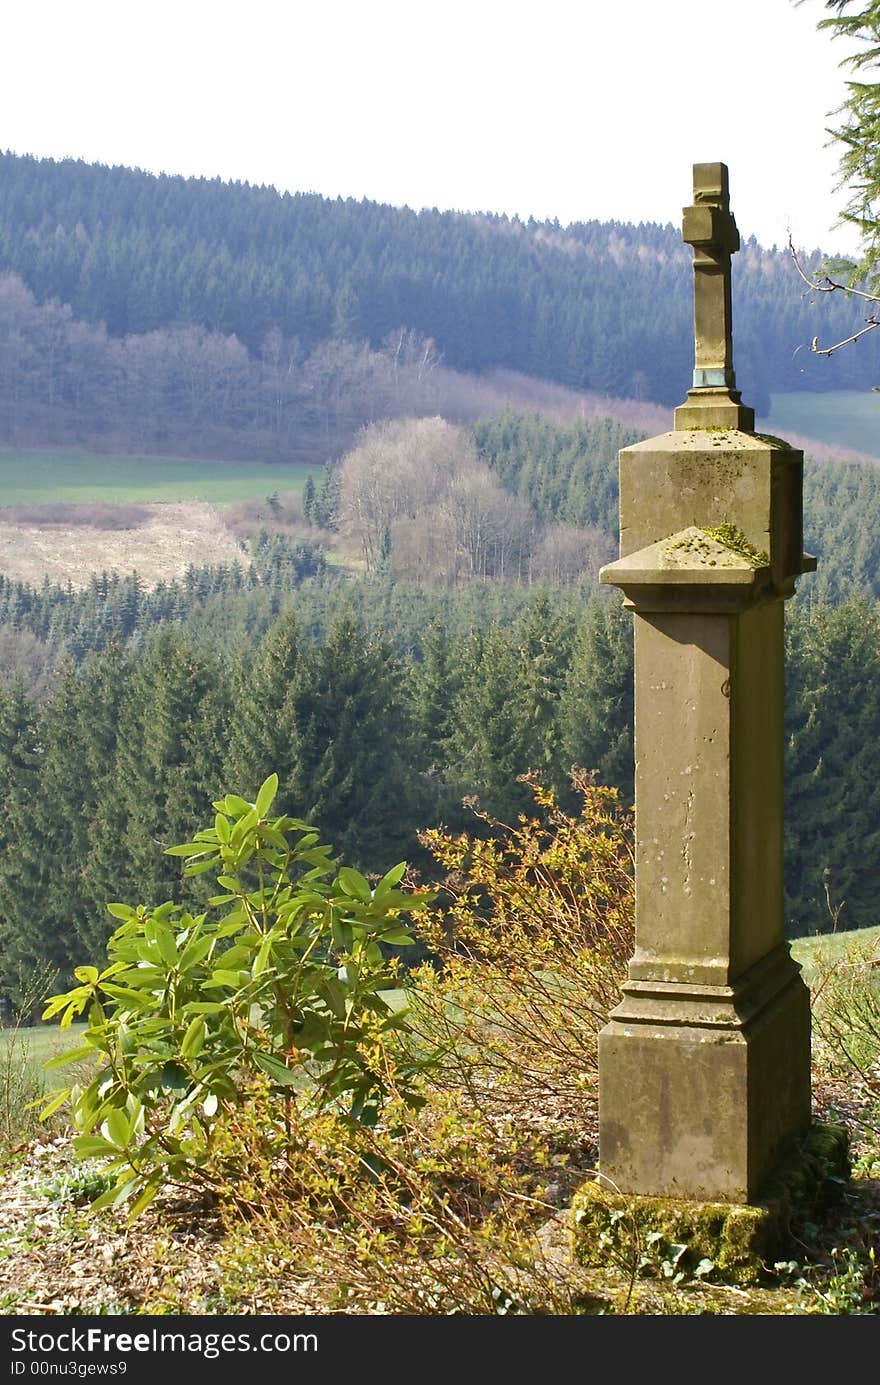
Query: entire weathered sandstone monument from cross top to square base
[[705, 1066]]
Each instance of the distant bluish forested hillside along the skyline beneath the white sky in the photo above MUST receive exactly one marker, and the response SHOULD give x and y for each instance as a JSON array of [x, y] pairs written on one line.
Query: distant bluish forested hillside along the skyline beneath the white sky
[[229, 285]]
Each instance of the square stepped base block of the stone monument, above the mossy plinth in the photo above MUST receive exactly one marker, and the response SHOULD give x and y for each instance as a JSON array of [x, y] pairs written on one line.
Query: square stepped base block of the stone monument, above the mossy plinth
[[703, 1088]]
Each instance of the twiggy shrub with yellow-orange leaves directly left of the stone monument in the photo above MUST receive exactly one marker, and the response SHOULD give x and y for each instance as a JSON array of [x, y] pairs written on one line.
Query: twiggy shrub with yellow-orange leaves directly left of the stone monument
[[533, 930]]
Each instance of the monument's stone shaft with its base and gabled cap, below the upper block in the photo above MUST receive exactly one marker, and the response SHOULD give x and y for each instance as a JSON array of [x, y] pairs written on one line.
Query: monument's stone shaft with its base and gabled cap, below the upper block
[[705, 1066]]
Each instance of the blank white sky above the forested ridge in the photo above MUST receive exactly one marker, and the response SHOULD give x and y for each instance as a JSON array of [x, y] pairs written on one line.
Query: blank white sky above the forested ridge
[[567, 109]]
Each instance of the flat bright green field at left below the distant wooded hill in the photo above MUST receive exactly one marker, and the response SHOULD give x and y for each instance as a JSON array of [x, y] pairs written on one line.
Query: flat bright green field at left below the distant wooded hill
[[41, 477]]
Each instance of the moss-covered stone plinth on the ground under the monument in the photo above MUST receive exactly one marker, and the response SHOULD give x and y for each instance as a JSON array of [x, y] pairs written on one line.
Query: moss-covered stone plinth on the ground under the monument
[[741, 1240]]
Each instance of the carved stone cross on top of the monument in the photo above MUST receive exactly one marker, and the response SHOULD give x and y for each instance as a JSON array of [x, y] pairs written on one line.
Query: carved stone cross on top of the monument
[[710, 228]]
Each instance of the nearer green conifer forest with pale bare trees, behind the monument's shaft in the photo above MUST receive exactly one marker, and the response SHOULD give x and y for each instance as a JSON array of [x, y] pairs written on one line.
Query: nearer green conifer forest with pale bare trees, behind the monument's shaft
[[385, 700]]
